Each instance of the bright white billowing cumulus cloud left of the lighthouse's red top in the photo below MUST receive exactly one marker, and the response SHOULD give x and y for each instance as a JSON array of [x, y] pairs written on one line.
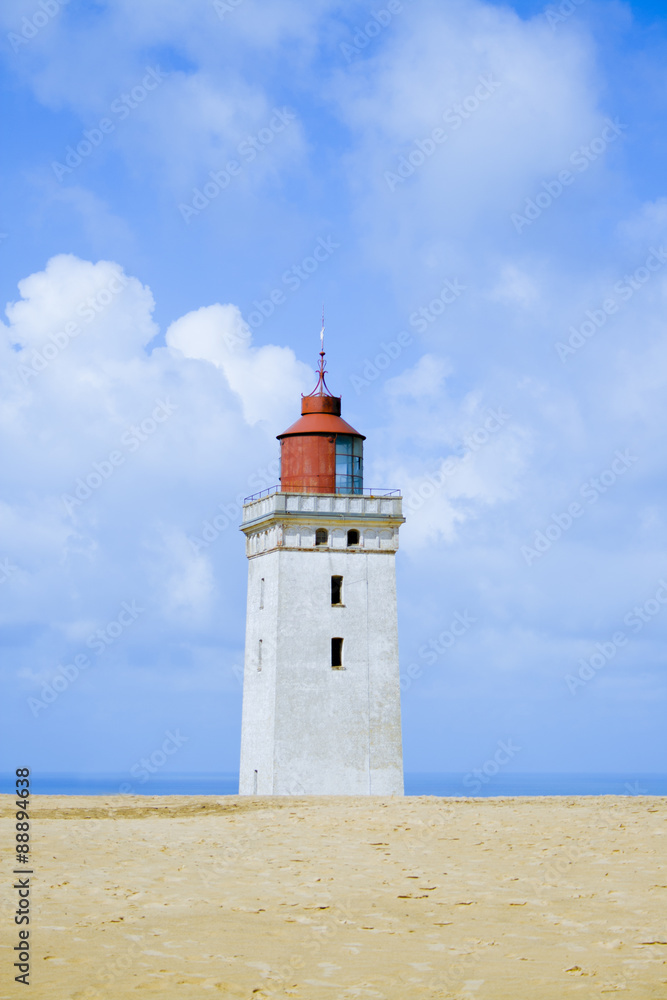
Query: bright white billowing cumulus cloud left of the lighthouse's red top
[[116, 452]]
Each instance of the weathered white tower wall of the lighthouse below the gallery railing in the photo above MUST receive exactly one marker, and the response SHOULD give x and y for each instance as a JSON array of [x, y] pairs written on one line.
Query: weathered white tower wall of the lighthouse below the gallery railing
[[307, 728]]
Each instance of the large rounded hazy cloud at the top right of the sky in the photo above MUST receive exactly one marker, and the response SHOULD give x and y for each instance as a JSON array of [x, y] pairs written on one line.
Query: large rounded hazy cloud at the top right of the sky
[[543, 102]]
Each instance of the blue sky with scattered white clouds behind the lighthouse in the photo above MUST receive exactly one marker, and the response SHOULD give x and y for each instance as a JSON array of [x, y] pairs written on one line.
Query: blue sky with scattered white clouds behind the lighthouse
[[485, 182]]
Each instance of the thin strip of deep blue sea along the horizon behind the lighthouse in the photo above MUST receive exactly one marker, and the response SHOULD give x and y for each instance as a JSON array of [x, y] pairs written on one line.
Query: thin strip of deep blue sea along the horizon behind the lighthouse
[[440, 784]]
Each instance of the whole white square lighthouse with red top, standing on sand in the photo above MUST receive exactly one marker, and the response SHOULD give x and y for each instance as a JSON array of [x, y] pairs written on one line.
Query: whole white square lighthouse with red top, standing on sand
[[321, 693]]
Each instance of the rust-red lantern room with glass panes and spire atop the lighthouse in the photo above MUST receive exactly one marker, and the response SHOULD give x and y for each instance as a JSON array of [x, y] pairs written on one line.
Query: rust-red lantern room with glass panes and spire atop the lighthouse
[[321, 453]]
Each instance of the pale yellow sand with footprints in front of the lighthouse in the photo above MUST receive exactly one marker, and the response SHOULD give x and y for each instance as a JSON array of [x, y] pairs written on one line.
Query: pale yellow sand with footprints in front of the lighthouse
[[343, 898]]
